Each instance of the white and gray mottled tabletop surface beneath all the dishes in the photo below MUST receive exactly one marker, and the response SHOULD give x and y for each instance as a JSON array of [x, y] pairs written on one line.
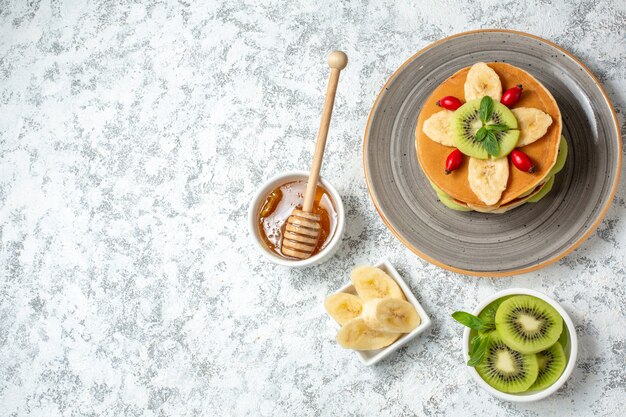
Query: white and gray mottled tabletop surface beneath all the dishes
[[132, 136]]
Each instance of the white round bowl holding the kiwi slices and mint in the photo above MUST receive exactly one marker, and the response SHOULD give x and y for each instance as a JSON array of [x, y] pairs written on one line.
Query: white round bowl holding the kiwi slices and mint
[[570, 352]]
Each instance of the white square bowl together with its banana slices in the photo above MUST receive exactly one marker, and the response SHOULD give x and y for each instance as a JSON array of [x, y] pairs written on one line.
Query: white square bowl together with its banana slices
[[377, 312]]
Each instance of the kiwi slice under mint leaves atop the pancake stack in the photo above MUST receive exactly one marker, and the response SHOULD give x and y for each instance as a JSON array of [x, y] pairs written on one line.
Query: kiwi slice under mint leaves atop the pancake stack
[[466, 122]]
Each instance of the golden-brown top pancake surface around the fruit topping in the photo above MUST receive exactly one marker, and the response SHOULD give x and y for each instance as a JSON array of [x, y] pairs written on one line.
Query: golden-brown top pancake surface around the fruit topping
[[543, 152]]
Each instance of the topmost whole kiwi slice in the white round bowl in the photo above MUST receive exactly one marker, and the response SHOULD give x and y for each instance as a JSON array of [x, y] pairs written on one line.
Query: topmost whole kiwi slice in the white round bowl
[[528, 324]]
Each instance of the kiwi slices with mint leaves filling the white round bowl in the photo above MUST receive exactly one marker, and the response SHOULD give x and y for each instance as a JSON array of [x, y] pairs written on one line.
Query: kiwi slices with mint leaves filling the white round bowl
[[518, 344]]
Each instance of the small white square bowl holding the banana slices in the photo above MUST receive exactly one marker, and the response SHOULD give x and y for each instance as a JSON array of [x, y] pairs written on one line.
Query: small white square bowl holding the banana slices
[[370, 357]]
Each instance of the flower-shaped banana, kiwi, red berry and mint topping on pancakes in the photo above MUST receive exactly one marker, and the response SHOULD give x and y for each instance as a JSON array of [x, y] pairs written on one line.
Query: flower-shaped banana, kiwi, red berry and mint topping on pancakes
[[486, 131]]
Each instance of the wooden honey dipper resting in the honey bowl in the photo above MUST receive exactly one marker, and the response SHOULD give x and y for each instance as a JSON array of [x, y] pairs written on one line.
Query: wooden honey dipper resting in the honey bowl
[[303, 226]]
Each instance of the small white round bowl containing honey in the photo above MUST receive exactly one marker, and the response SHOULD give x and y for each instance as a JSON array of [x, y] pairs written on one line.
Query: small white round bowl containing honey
[[259, 199]]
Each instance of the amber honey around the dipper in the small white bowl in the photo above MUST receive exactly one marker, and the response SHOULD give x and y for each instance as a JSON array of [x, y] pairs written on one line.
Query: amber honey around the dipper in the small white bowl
[[279, 205]]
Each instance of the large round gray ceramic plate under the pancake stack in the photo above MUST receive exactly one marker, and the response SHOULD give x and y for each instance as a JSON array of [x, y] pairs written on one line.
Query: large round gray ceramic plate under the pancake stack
[[523, 239]]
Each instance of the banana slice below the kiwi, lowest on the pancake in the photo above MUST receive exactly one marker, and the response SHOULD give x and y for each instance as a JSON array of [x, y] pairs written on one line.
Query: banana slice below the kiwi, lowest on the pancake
[[488, 178]]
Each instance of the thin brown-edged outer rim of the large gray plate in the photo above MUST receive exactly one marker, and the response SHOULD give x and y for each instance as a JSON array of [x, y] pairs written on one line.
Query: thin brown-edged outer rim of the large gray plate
[[536, 266]]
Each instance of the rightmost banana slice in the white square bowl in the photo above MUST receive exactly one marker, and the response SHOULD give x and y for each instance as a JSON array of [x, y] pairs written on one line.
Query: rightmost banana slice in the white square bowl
[[390, 315]]
